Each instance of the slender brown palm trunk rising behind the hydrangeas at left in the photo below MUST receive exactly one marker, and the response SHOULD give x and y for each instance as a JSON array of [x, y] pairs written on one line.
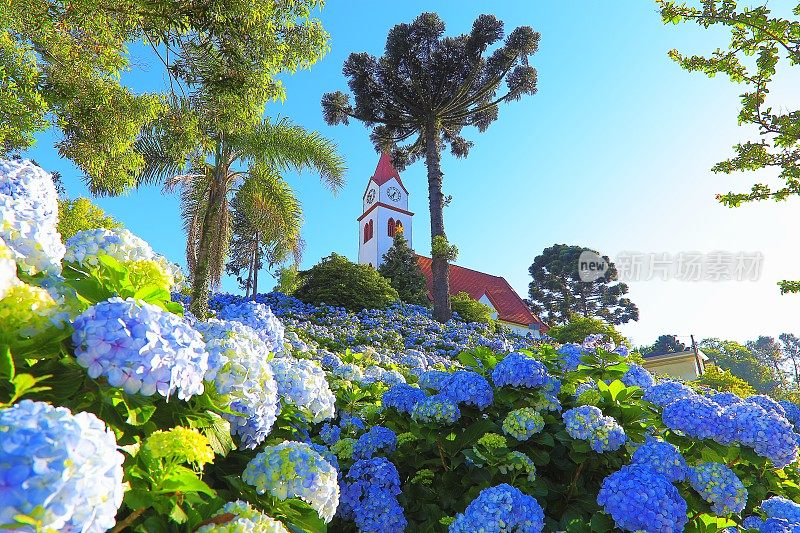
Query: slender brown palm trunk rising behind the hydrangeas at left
[[201, 279]]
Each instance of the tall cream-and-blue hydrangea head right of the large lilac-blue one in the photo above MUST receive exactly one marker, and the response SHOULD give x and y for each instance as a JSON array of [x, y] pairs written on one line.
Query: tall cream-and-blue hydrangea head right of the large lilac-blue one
[[242, 376]]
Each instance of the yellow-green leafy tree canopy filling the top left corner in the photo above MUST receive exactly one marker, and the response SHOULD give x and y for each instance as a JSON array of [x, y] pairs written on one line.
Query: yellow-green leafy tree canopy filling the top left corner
[[61, 65]]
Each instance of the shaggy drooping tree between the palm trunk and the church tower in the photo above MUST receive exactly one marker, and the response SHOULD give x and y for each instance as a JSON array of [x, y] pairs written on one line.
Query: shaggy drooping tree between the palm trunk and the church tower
[[251, 247]]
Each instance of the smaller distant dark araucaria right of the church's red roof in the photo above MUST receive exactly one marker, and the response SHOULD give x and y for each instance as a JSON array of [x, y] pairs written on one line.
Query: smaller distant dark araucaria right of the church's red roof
[[557, 290]]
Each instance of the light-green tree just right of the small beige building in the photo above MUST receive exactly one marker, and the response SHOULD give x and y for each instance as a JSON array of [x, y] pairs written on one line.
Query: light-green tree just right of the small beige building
[[742, 363]]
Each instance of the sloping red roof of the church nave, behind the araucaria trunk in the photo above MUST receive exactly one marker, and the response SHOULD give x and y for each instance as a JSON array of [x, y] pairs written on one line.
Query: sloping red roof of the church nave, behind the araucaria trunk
[[505, 300]]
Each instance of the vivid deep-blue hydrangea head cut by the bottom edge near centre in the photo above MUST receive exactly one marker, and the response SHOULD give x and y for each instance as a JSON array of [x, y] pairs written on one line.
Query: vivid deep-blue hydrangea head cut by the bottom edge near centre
[[500, 509]]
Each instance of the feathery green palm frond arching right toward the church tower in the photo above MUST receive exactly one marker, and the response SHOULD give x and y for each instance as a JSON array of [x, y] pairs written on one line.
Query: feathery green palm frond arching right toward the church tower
[[282, 145]]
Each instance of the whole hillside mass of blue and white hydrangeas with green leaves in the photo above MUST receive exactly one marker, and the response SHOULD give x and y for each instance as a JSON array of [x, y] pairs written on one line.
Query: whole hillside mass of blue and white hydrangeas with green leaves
[[117, 411]]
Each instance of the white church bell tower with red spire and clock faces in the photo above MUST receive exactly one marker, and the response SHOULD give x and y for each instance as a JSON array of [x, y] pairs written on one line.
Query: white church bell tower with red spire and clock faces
[[384, 212]]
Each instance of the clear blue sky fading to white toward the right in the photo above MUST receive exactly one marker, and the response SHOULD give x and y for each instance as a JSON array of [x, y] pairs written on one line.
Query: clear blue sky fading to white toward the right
[[613, 153]]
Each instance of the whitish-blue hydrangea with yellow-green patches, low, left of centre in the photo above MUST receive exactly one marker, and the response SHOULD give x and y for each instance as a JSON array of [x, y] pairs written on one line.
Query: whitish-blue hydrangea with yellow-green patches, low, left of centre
[[295, 470]]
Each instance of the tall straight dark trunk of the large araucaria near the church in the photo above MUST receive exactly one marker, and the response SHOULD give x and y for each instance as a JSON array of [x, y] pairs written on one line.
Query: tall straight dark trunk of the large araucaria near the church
[[440, 271]]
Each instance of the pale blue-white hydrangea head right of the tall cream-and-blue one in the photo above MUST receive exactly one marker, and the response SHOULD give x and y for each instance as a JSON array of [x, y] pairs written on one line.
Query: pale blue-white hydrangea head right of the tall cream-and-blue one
[[302, 382]]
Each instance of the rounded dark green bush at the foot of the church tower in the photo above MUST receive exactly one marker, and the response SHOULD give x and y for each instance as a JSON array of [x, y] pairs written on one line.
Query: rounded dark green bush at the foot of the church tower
[[339, 282]]
